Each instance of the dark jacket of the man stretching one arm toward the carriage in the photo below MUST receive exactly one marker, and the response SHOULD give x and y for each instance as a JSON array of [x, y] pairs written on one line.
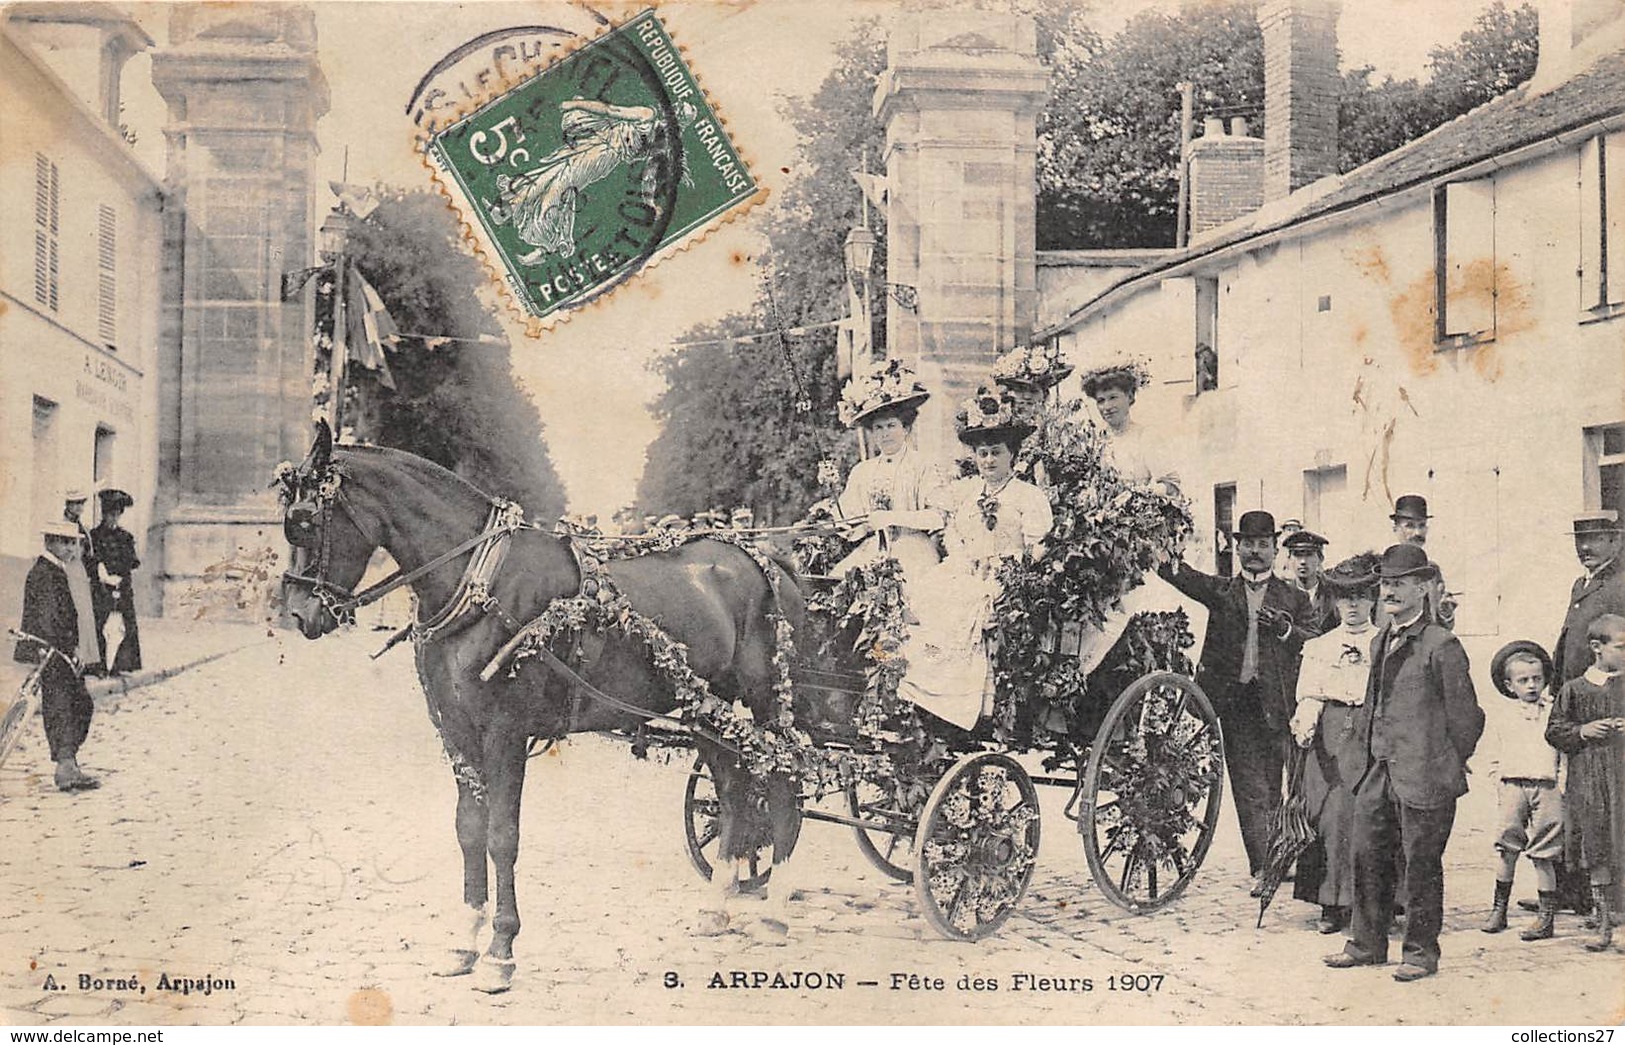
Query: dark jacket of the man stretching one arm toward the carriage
[[1224, 646]]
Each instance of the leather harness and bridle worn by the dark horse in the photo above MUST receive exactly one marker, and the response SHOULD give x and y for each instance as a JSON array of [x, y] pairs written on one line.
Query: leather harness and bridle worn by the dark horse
[[308, 524]]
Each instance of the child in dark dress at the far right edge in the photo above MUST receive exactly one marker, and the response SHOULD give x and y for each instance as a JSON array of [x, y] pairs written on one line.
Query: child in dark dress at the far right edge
[[1590, 726]]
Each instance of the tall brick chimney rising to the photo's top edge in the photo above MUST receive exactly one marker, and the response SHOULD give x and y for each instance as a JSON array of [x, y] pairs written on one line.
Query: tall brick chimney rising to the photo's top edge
[[1301, 93]]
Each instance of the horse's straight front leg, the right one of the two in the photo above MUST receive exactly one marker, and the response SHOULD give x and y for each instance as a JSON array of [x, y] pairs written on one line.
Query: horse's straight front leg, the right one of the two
[[505, 779]]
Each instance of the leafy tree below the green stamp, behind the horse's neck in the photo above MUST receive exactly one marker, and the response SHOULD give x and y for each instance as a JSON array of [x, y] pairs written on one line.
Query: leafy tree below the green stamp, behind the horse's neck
[[456, 402]]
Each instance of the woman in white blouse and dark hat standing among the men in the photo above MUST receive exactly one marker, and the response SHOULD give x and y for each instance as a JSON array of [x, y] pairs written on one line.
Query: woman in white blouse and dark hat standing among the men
[[1332, 688]]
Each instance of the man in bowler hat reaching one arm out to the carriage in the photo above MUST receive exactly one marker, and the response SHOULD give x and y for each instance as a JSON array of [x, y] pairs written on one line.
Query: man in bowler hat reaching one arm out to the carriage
[[1257, 627]]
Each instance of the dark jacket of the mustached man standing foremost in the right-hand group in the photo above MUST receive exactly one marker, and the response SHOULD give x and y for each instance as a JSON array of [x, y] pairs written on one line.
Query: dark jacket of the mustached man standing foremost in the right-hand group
[[1421, 714]]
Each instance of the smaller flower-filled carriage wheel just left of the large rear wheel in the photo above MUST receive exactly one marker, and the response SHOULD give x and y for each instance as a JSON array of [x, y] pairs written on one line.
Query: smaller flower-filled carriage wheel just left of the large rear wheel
[[977, 846]]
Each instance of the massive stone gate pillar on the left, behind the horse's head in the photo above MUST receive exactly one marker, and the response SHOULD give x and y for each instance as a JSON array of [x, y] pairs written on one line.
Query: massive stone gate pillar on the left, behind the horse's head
[[245, 93]]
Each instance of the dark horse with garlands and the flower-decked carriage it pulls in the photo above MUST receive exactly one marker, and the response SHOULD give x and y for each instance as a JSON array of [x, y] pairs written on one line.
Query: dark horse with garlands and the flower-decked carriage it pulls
[[787, 693]]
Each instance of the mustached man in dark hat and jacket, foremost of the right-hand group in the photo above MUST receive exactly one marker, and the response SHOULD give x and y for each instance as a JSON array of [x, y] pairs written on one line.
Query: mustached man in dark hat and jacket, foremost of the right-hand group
[[1421, 724]]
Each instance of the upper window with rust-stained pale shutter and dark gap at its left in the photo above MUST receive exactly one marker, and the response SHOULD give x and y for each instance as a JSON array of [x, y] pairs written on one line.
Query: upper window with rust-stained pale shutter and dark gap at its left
[[1465, 261]]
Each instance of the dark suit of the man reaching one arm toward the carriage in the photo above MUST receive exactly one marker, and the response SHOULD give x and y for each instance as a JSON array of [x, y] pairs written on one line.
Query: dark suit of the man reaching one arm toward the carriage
[[1254, 714]]
